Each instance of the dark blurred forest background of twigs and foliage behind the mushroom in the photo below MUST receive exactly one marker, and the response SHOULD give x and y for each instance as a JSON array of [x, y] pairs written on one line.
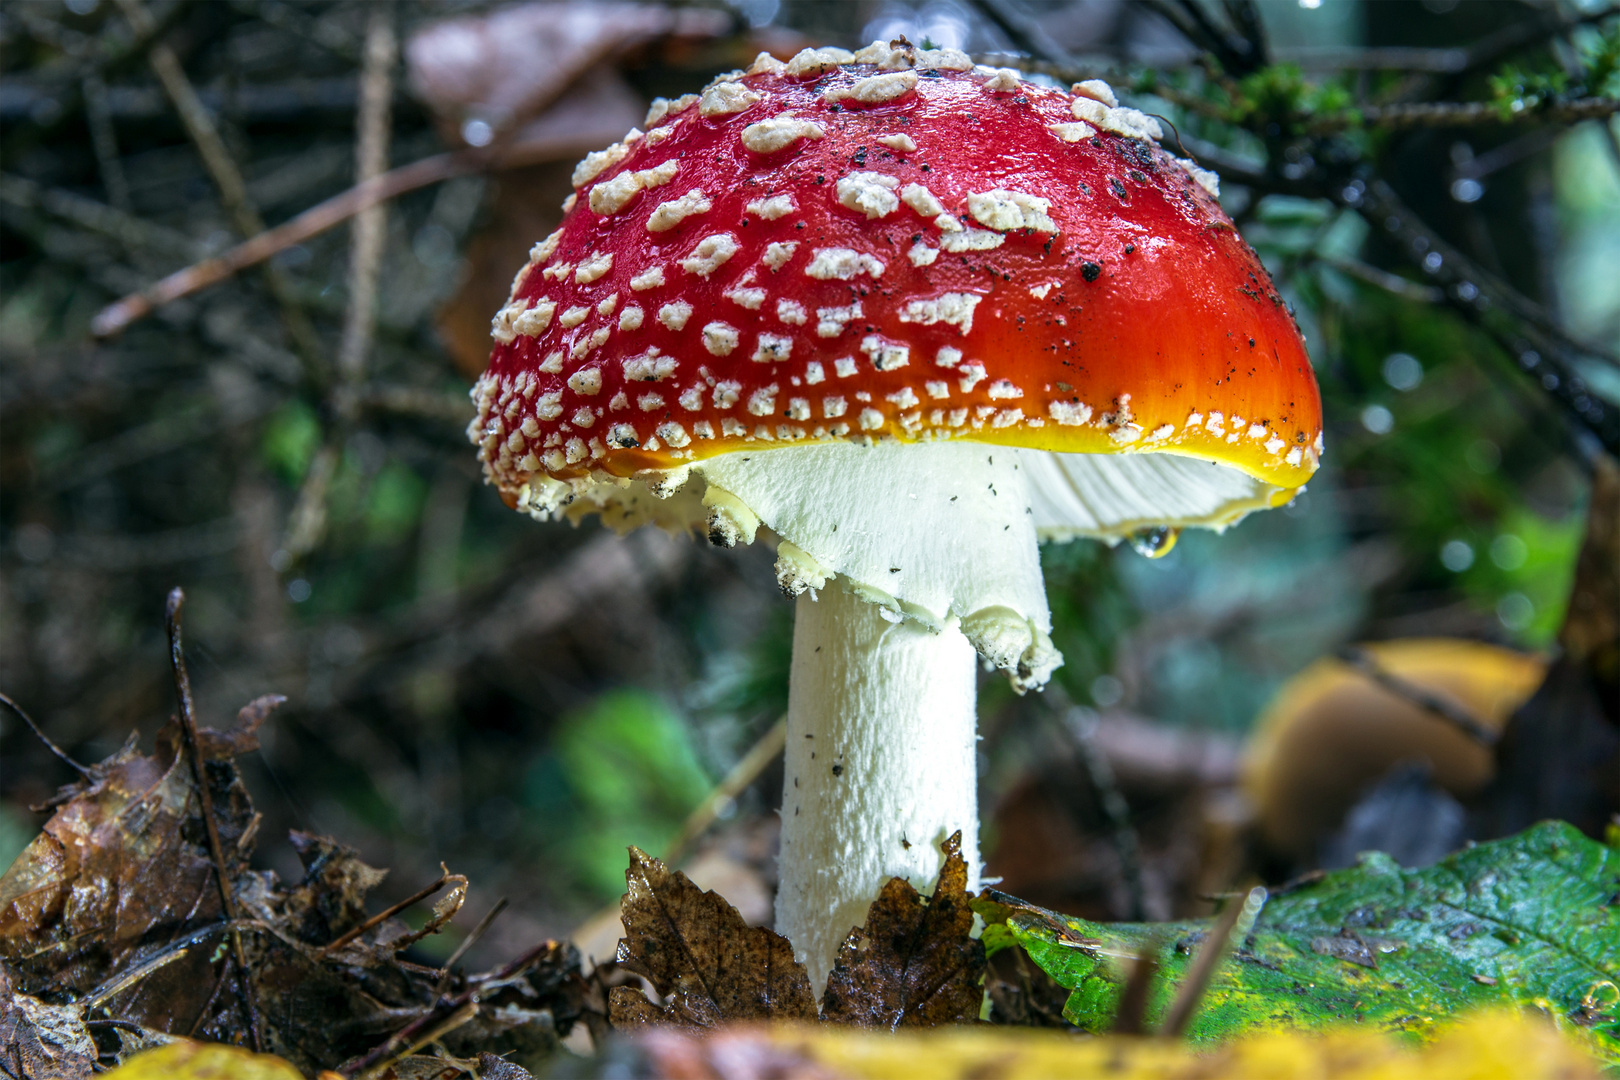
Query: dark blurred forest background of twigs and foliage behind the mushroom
[[526, 700]]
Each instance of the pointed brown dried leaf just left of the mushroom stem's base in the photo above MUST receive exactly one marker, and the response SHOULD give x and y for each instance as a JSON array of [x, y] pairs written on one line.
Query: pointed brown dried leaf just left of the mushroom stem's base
[[707, 964]]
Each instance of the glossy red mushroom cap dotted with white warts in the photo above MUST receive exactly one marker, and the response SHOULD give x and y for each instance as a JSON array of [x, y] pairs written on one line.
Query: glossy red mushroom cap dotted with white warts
[[895, 247]]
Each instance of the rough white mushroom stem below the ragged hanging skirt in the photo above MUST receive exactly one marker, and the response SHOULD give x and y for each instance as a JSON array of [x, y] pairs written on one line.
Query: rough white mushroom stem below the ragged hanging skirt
[[880, 767]]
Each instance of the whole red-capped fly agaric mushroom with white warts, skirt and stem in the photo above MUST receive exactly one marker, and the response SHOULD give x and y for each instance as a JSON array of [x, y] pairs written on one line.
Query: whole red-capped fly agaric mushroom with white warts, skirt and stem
[[908, 317]]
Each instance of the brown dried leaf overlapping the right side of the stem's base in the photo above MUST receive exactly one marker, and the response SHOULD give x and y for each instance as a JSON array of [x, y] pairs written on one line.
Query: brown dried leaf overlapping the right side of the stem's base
[[914, 963]]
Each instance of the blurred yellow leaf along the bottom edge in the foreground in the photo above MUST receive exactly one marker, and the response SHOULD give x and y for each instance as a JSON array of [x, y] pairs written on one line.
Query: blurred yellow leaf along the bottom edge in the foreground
[[1493, 1047]]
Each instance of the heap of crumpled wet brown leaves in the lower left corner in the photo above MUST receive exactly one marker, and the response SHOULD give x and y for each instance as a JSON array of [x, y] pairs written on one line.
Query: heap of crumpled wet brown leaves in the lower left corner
[[116, 906]]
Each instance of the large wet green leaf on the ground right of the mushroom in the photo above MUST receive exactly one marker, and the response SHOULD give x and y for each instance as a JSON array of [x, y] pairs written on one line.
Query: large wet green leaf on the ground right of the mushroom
[[1525, 922]]
